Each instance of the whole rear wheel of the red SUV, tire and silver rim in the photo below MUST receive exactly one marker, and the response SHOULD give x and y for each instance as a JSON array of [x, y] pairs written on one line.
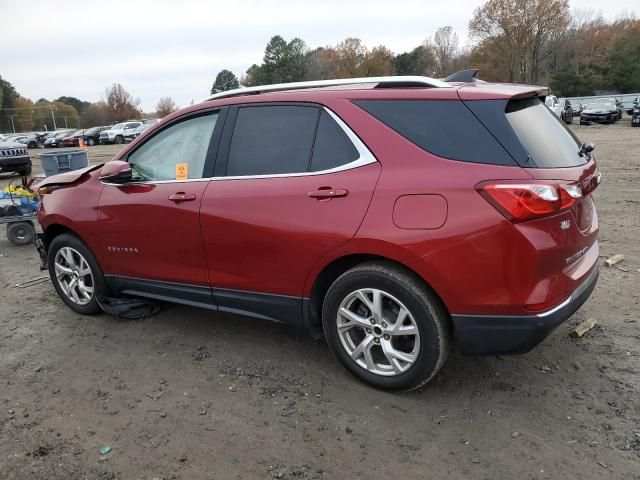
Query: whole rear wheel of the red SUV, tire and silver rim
[[386, 327]]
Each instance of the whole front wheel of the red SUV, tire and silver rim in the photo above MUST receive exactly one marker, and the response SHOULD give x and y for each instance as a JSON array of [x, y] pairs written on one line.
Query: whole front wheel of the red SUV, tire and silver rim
[[75, 274]]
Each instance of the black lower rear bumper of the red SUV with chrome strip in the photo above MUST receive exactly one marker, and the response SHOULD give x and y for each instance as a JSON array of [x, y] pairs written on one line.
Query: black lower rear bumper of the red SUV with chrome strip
[[504, 335]]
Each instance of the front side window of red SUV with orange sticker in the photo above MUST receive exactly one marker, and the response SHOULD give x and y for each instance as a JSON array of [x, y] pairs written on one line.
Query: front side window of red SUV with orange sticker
[[176, 153]]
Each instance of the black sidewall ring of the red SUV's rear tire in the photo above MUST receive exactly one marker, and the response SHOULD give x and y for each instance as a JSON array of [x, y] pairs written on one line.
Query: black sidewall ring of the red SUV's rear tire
[[424, 314]]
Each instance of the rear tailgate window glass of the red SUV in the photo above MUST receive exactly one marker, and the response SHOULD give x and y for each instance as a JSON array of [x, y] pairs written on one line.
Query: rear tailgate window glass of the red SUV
[[548, 142]]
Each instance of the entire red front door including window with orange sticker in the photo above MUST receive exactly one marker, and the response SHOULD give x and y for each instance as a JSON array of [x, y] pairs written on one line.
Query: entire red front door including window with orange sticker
[[150, 228]]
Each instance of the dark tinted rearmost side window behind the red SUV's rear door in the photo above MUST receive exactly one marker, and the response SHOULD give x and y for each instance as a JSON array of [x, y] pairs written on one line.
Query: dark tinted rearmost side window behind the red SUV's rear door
[[442, 127]]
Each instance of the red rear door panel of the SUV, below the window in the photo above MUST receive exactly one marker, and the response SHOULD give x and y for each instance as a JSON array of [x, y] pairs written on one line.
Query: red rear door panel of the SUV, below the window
[[264, 235]]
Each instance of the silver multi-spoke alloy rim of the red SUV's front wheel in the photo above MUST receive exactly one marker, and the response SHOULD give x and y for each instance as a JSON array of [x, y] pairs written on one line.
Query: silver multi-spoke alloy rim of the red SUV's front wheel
[[74, 275]]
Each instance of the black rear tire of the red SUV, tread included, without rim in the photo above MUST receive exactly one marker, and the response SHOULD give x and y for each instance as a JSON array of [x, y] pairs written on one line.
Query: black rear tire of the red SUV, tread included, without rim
[[430, 316]]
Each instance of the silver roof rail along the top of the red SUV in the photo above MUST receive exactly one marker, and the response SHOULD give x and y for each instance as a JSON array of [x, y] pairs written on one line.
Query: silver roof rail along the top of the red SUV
[[378, 82]]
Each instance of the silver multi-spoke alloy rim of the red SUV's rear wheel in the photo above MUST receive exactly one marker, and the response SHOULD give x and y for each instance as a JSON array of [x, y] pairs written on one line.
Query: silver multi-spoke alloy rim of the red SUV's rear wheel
[[378, 332]]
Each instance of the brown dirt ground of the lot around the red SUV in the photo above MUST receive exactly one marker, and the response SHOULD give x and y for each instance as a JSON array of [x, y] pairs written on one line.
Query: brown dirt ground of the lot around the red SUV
[[191, 394]]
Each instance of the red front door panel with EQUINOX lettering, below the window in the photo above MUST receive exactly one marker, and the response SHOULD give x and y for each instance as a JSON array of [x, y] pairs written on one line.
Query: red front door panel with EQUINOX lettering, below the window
[[161, 238]]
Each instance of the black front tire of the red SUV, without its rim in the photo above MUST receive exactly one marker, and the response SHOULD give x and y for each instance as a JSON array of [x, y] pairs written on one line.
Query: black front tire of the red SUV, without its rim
[[99, 284]]
